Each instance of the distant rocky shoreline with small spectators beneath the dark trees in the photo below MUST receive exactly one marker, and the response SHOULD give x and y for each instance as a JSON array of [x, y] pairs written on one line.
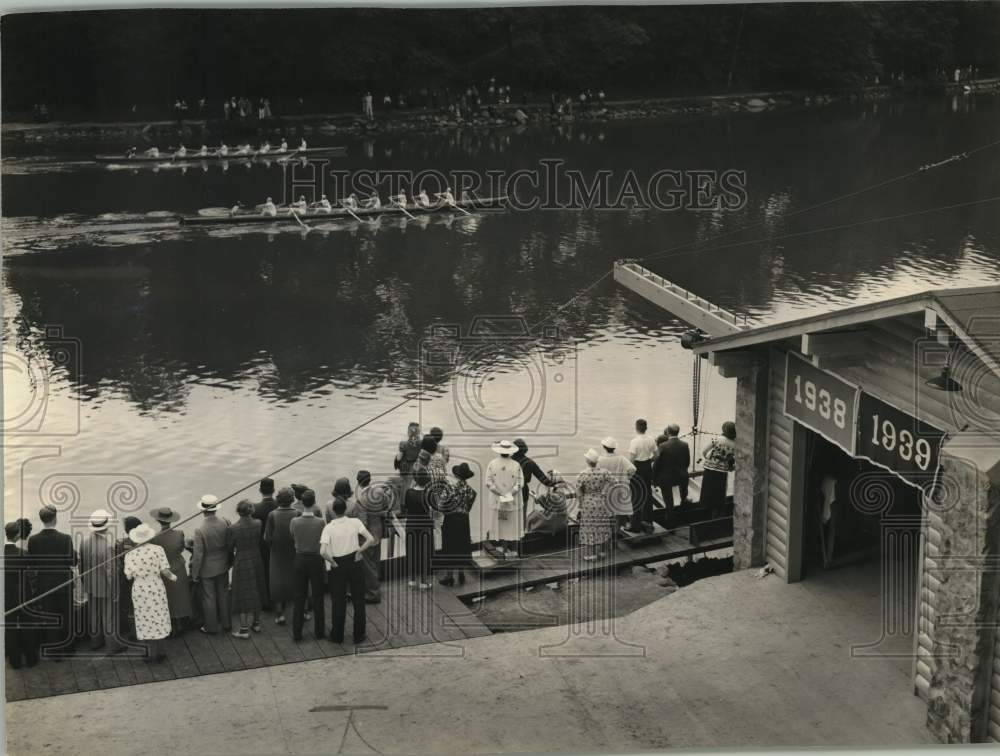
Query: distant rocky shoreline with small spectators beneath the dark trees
[[507, 115]]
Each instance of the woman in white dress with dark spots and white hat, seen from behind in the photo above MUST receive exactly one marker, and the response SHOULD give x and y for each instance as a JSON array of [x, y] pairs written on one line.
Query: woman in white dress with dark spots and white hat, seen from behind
[[147, 567]]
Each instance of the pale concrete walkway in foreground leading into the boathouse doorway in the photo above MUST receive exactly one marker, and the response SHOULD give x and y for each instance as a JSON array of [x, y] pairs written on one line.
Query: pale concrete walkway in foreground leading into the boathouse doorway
[[730, 661]]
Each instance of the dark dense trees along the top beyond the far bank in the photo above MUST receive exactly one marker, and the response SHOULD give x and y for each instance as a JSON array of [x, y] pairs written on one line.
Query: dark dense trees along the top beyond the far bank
[[105, 60]]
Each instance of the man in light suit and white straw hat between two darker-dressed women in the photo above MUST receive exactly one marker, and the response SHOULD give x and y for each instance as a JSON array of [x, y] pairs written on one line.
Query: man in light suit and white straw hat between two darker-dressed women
[[210, 566]]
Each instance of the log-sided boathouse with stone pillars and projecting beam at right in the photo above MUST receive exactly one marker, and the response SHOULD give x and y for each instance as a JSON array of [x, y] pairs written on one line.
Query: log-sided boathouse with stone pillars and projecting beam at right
[[873, 432]]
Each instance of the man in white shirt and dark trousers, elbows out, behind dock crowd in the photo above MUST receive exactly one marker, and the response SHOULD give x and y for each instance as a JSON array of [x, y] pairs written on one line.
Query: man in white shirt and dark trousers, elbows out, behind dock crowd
[[338, 544]]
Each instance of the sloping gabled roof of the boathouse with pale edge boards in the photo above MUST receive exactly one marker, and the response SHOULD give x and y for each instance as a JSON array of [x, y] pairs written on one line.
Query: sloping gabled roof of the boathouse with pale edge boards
[[972, 314]]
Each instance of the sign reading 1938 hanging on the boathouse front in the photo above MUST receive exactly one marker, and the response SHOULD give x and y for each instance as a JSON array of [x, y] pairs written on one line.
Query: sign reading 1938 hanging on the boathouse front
[[821, 401]]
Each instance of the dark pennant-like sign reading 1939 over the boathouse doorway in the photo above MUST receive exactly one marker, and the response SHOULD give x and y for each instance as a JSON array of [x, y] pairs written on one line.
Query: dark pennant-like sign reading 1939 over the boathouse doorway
[[897, 441]]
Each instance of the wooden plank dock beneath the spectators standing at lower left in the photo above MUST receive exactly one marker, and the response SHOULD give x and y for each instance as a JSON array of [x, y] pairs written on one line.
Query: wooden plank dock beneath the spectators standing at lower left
[[404, 618]]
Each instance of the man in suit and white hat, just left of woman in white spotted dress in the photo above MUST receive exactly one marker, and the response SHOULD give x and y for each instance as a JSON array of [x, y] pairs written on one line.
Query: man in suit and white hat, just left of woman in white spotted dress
[[100, 581]]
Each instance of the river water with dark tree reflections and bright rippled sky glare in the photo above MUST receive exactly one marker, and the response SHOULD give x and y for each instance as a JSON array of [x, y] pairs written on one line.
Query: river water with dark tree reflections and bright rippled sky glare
[[146, 364]]
